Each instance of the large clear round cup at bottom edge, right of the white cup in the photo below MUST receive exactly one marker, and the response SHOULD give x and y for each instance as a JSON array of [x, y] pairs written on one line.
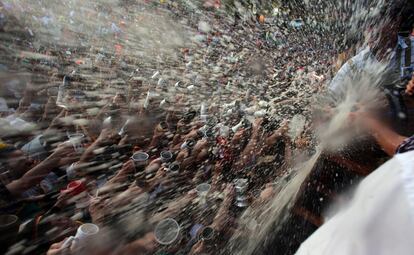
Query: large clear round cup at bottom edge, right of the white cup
[[166, 231]]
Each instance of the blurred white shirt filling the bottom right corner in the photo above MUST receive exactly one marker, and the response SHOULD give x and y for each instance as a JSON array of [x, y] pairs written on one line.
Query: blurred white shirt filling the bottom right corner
[[379, 220]]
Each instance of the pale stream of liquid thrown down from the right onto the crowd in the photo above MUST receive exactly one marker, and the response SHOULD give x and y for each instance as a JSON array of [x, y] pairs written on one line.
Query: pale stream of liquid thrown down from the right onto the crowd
[[257, 225]]
